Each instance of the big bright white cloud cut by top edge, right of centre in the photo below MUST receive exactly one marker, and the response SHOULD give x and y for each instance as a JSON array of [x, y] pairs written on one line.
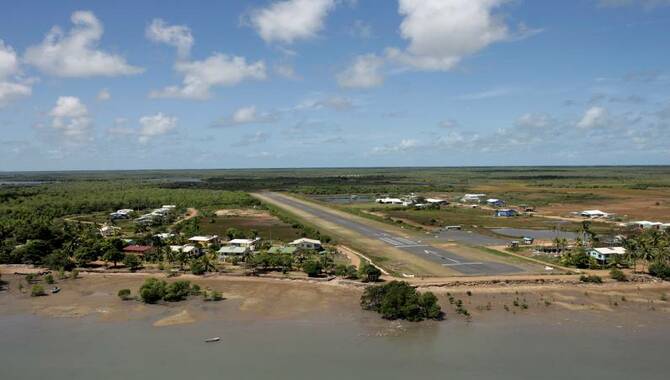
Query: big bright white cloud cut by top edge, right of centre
[[442, 32]]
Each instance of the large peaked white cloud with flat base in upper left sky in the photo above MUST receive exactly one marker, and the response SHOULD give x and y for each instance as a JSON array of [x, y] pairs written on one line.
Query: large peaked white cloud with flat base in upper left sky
[[76, 53]]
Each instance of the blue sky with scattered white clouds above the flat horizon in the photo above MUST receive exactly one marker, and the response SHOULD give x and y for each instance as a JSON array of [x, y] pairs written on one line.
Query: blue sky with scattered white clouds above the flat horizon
[[311, 83]]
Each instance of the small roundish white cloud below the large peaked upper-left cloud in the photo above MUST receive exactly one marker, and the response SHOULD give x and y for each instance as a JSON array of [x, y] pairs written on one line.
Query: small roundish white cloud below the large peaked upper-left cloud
[[70, 116]]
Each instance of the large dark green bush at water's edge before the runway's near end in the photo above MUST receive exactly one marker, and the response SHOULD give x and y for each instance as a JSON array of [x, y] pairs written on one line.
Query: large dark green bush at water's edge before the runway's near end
[[398, 300]]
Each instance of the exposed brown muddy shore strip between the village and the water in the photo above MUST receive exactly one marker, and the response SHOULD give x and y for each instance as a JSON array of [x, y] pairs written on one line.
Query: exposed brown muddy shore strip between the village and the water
[[268, 298]]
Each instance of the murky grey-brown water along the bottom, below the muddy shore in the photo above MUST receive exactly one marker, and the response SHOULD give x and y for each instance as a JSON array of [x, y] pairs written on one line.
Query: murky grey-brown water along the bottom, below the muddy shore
[[329, 348]]
